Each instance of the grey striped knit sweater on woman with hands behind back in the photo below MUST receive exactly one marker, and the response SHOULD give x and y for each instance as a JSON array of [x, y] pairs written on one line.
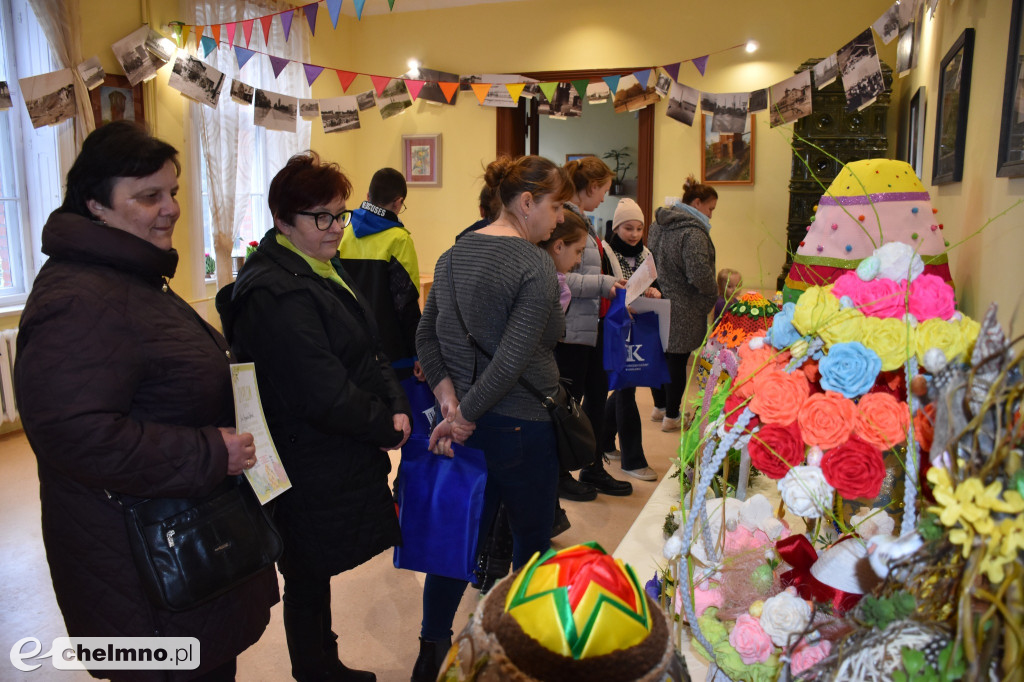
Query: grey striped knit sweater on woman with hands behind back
[[508, 294]]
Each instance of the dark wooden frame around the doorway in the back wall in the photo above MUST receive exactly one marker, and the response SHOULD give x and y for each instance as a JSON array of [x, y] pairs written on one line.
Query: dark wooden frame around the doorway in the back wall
[[513, 129]]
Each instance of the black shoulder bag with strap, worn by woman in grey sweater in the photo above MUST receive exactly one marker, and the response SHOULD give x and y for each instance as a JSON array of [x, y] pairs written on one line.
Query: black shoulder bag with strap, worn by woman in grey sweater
[[577, 444]]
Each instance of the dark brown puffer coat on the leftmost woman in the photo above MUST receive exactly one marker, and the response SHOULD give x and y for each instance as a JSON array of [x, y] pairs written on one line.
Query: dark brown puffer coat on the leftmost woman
[[121, 388]]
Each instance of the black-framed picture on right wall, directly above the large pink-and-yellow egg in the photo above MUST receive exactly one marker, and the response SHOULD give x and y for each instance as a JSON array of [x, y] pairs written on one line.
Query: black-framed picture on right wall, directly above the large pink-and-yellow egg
[[951, 112]]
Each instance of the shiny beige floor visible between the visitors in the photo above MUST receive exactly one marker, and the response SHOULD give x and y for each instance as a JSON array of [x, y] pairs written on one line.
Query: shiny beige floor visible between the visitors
[[376, 607]]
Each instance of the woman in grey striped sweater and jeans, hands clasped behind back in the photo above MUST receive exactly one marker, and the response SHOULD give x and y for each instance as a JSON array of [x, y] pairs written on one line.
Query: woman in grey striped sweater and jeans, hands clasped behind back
[[507, 291]]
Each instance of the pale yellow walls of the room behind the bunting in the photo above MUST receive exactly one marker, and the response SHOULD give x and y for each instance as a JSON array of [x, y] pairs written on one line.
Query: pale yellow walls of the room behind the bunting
[[750, 223]]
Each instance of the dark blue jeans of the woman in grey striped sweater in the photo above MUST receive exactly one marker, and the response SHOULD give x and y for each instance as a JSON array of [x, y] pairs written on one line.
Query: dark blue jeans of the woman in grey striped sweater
[[523, 473]]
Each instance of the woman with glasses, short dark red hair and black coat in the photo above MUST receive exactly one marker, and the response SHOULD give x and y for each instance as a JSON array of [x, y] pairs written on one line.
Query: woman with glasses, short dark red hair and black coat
[[331, 399]]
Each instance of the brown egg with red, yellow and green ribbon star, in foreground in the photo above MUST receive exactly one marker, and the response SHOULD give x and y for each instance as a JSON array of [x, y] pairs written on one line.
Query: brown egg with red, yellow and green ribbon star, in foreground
[[573, 615]]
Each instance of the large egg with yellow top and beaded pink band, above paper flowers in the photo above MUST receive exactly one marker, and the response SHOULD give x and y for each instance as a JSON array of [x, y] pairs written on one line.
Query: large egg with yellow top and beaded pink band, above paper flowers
[[871, 203]]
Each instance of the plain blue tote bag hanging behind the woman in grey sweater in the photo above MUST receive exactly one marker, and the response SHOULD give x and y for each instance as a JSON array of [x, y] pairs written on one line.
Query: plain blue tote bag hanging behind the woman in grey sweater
[[441, 500]]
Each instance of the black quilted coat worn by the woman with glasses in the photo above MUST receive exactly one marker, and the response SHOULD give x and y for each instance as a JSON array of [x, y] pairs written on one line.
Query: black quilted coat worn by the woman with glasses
[[329, 395]]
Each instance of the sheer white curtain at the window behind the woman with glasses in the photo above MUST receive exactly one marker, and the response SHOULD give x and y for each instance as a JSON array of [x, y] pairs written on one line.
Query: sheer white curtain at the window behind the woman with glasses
[[229, 138]]
